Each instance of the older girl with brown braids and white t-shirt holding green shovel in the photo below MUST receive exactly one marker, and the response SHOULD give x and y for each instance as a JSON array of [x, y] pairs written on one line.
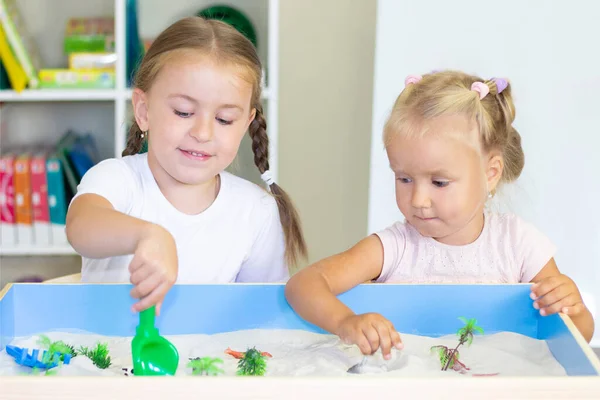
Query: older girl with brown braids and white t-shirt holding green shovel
[[173, 214]]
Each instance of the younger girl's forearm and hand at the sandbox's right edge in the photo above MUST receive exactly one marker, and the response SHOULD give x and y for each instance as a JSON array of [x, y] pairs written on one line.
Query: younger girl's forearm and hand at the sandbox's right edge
[[555, 292]]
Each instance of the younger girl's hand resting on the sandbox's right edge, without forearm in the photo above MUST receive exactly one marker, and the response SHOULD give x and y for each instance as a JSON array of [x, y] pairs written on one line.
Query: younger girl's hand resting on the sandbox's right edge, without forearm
[[557, 293]]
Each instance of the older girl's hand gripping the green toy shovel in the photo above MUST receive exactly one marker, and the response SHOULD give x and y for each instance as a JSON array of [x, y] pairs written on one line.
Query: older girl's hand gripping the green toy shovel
[[153, 269]]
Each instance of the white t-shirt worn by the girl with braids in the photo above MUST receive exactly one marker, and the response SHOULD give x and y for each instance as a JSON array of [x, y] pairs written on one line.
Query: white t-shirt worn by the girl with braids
[[239, 238]]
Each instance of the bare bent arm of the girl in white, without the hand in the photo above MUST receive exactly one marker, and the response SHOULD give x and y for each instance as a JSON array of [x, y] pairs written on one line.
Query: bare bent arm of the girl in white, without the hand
[[96, 230]]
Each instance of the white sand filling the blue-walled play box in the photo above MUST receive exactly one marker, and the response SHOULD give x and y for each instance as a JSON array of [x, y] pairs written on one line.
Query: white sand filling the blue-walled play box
[[301, 353]]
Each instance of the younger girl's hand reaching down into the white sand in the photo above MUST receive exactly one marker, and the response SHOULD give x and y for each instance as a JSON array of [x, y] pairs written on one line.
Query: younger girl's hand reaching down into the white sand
[[369, 332]]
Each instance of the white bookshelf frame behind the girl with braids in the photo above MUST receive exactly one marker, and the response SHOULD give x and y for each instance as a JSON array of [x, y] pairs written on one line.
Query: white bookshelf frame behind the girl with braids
[[35, 116]]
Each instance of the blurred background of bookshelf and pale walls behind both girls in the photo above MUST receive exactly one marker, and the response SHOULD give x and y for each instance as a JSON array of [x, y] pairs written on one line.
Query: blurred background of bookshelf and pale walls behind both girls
[[332, 69]]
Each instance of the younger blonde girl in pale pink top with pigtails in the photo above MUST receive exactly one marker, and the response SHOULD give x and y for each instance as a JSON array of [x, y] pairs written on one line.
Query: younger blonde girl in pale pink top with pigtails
[[450, 143]]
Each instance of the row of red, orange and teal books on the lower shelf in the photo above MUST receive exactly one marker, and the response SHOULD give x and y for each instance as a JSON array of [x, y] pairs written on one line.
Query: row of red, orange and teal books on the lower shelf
[[36, 186]]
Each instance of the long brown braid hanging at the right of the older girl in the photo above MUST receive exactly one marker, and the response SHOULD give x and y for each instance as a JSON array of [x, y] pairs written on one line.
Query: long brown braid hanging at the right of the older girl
[[295, 246]]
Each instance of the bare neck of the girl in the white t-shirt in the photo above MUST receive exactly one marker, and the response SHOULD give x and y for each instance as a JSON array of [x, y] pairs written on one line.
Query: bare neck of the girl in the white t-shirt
[[188, 199]]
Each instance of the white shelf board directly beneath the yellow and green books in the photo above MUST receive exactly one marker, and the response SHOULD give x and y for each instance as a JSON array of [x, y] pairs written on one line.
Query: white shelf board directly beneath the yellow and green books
[[58, 95]]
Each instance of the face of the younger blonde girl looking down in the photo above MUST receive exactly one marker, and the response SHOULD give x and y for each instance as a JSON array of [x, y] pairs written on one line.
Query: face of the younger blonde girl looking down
[[443, 179]]
